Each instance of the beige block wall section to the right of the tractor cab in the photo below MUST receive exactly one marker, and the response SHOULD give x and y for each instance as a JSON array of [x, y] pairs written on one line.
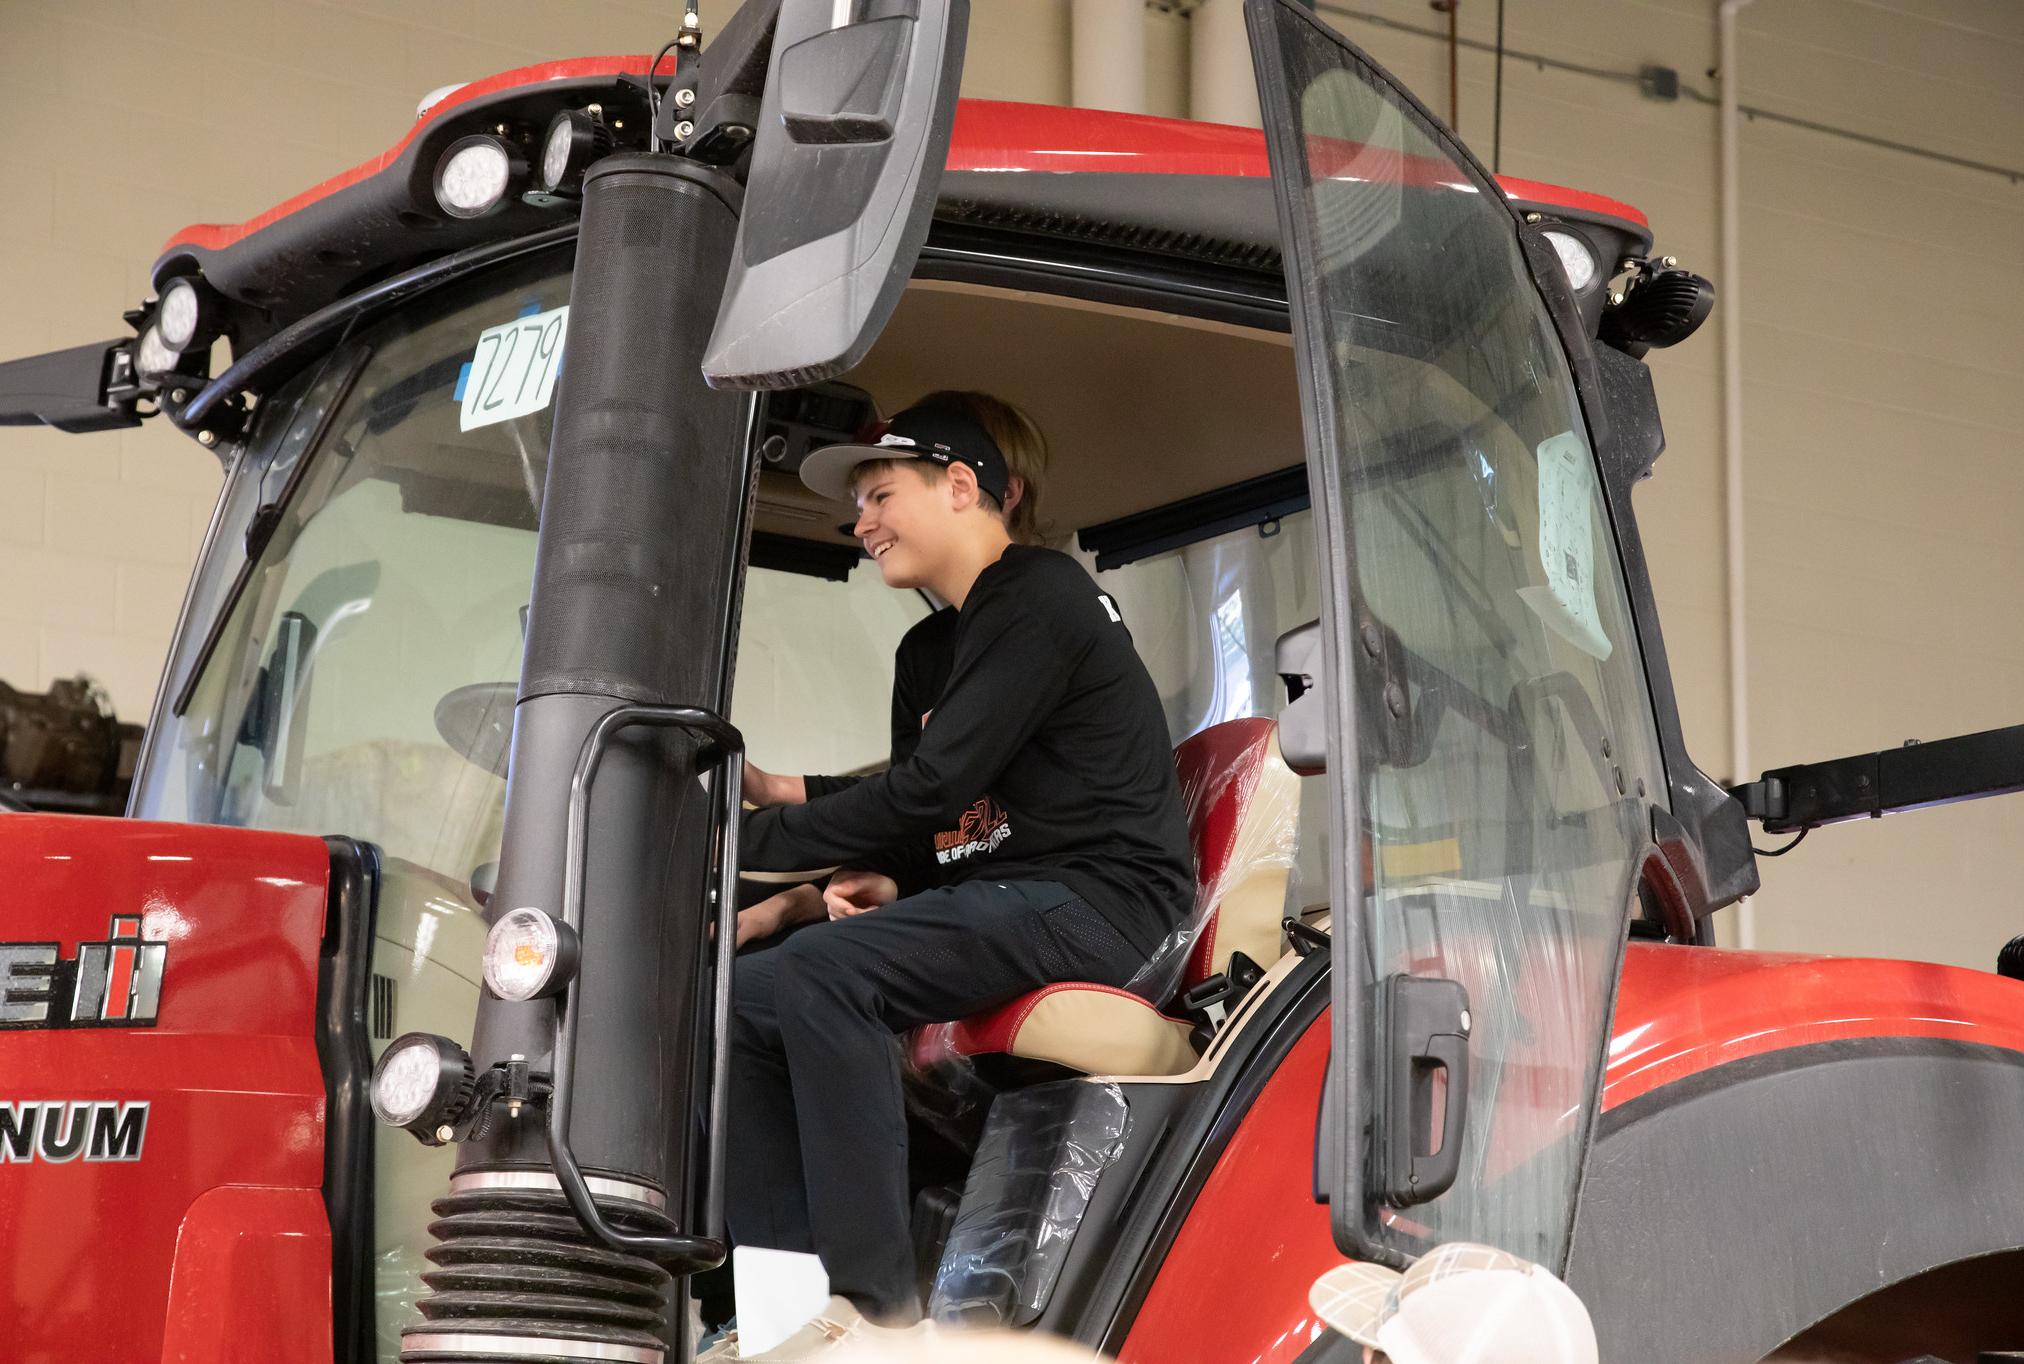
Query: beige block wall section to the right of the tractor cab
[[1883, 357]]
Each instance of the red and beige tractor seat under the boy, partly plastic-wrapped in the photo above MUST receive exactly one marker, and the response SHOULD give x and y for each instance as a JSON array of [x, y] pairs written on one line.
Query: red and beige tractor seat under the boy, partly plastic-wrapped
[[1244, 821]]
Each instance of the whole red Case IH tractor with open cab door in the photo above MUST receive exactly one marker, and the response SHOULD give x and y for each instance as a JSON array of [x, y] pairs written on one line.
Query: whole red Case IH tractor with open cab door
[[438, 804]]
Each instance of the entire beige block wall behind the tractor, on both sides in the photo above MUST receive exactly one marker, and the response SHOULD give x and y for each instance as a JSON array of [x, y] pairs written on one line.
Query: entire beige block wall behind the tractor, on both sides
[[1885, 503]]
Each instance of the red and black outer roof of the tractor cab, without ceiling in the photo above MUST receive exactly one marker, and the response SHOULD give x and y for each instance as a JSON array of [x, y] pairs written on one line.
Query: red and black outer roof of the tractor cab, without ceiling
[[1169, 187]]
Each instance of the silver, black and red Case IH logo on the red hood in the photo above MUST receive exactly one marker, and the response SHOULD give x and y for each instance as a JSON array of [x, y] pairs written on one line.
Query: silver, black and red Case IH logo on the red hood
[[112, 985]]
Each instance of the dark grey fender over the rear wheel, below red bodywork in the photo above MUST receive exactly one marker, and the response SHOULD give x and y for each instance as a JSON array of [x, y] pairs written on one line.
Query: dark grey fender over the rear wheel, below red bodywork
[[1734, 1209]]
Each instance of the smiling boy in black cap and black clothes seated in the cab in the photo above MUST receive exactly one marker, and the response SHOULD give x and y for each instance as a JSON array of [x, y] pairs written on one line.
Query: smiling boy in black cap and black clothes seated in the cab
[[1043, 813]]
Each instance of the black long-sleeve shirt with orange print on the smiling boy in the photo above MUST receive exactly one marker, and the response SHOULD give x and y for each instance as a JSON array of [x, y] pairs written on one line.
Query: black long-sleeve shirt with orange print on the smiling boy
[[1045, 758]]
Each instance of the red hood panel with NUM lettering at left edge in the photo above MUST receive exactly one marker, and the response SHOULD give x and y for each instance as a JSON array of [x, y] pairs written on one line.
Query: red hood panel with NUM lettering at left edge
[[228, 1072]]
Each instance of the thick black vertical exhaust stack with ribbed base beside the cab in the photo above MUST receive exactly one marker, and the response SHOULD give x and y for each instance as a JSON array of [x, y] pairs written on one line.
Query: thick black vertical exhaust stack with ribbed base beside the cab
[[637, 596]]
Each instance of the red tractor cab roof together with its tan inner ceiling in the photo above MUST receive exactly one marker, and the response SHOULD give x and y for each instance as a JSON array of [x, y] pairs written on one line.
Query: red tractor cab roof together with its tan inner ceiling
[[1195, 396]]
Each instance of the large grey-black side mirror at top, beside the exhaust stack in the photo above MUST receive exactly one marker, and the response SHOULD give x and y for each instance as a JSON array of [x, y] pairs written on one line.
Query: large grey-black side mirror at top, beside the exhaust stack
[[847, 165]]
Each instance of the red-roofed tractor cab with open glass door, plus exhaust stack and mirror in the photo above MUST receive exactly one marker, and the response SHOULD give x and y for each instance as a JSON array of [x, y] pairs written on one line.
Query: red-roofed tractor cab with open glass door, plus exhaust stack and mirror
[[511, 568]]
